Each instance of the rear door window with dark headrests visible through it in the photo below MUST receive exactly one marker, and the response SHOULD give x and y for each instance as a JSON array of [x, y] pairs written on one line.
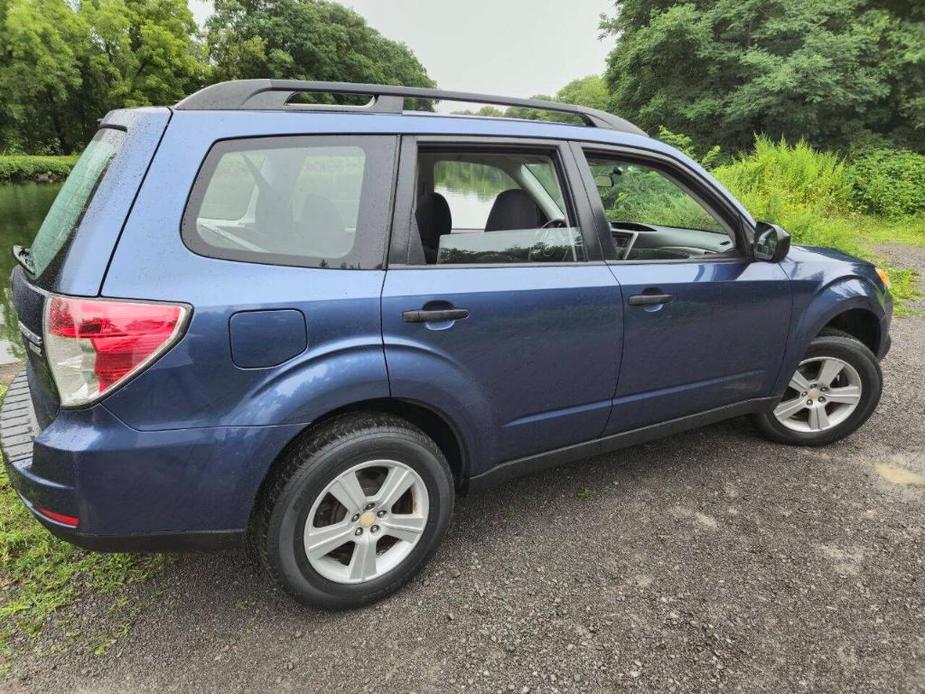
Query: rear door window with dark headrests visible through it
[[494, 207]]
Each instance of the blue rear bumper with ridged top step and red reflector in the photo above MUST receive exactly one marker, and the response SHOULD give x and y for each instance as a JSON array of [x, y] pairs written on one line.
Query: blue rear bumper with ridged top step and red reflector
[[130, 490]]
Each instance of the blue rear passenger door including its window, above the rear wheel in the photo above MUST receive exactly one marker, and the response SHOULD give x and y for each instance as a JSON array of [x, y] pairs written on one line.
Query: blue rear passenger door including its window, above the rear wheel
[[497, 307]]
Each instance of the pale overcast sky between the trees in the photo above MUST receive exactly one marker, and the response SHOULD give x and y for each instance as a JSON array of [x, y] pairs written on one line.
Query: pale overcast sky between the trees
[[507, 47]]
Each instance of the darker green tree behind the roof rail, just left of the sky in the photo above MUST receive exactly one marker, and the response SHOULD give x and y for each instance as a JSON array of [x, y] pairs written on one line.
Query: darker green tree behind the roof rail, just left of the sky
[[308, 40]]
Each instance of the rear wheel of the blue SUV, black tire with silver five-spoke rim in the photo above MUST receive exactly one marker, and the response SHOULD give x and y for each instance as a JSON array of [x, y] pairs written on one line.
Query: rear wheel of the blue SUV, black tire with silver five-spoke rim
[[332, 456]]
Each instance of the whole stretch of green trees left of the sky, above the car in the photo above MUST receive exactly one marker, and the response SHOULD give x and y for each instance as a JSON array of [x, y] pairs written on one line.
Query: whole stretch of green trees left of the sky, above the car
[[65, 64]]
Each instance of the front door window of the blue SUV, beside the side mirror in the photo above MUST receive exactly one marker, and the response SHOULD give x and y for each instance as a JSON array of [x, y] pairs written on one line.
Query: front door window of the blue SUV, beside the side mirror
[[652, 216]]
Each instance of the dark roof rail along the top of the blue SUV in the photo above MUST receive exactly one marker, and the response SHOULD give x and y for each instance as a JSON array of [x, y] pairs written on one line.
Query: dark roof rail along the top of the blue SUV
[[273, 95]]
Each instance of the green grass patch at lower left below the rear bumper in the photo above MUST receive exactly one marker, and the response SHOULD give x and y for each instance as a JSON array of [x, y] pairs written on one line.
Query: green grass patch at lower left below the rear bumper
[[40, 575]]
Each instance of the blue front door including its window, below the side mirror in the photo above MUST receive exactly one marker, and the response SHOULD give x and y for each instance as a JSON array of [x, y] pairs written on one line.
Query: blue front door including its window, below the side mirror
[[704, 326]]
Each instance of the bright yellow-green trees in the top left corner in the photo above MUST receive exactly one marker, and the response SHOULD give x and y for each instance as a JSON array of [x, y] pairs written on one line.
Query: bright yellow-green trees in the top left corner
[[64, 65]]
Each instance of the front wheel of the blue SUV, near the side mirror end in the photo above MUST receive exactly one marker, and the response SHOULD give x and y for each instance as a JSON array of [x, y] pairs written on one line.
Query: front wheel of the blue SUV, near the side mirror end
[[861, 368]]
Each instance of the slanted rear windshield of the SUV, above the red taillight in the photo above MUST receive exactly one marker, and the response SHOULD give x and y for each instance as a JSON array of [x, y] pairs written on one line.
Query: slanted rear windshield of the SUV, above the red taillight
[[74, 198]]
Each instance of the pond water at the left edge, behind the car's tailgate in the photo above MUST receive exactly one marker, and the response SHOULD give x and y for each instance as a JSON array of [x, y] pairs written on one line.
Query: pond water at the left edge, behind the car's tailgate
[[22, 209]]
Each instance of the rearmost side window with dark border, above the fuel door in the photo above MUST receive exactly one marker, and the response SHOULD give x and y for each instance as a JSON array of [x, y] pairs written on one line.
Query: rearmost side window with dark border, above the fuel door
[[308, 201]]
